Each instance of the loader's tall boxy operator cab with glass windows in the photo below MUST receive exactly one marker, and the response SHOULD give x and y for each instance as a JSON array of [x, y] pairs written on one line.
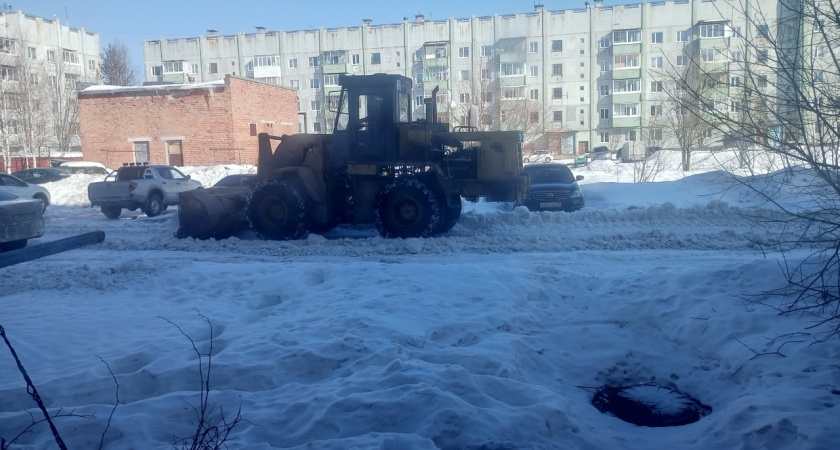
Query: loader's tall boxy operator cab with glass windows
[[370, 108]]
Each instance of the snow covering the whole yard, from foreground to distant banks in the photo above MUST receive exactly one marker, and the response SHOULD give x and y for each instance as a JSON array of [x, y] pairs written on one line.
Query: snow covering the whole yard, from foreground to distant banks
[[495, 335]]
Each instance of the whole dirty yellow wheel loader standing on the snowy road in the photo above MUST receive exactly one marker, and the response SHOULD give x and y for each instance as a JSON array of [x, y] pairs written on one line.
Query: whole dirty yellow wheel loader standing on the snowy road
[[378, 166]]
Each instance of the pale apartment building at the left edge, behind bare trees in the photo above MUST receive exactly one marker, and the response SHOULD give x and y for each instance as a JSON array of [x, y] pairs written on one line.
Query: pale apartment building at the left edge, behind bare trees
[[42, 62]]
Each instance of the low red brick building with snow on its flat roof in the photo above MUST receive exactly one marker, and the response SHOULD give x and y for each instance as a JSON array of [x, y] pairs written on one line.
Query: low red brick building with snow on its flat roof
[[183, 124]]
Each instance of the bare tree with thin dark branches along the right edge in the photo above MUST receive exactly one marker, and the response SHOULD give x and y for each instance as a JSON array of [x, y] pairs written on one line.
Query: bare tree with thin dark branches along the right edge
[[788, 106]]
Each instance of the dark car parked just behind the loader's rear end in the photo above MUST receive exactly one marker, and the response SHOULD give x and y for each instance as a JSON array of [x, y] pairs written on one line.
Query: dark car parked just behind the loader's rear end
[[553, 188]]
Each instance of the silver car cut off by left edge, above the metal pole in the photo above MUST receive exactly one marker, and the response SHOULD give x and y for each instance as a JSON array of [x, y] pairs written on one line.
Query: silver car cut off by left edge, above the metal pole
[[21, 219]]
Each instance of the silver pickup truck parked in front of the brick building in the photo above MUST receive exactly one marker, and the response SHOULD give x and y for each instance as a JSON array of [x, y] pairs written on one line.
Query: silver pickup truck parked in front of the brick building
[[149, 187]]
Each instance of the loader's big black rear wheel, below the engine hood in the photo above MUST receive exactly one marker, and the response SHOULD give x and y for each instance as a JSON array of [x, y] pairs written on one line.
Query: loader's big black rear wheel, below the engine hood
[[407, 208]]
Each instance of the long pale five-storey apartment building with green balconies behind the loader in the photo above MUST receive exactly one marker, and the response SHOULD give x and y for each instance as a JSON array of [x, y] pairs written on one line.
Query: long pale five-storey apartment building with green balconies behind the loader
[[573, 79]]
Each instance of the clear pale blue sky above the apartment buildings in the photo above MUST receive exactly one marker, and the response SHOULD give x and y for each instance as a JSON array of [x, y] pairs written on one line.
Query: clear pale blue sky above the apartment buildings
[[133, 21]]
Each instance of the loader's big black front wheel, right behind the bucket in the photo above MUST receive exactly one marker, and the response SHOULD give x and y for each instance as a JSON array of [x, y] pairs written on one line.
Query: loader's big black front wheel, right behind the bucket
[[277, 210]]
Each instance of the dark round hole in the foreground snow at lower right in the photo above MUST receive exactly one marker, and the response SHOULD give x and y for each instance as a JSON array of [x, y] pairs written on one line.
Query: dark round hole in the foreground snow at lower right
[[649, 405]]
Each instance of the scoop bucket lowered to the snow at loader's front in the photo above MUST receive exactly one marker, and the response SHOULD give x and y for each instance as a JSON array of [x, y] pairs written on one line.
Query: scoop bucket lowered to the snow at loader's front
[[212, 213]]
